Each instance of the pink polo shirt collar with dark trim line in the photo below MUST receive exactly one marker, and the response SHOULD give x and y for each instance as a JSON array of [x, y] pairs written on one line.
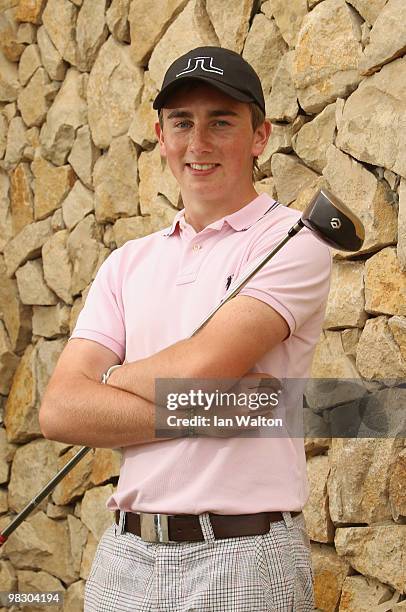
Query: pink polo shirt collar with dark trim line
[[240, 220]]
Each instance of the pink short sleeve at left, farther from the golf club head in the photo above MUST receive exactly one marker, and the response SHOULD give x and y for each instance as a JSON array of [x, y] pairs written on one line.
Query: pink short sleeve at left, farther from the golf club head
[[102, 316]]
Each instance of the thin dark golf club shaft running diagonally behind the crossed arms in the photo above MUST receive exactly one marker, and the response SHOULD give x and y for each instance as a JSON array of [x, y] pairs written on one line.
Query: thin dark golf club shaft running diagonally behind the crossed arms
[[85, 449]]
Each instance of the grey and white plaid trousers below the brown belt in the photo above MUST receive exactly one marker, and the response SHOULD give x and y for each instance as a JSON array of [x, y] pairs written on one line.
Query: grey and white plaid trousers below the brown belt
[[265, 573]]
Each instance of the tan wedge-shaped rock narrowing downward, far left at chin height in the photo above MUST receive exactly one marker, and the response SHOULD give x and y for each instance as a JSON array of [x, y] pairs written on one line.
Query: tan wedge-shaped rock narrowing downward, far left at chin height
[[51, 185]]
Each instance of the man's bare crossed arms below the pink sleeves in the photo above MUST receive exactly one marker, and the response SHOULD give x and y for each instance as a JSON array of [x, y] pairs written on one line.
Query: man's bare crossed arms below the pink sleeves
[[78, 409]]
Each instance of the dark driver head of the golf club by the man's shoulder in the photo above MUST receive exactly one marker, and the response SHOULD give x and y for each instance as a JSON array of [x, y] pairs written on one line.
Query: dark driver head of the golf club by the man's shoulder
[[333, 222]]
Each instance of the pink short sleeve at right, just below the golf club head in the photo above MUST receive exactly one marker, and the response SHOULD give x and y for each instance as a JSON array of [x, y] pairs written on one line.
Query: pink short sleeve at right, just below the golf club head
[[296, 281]]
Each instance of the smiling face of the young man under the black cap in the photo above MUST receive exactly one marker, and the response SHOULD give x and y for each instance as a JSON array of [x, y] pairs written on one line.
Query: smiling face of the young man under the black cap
[[209, 143]]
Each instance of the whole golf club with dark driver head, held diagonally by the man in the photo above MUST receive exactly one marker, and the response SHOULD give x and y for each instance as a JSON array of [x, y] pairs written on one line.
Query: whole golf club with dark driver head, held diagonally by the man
[[326, 217]]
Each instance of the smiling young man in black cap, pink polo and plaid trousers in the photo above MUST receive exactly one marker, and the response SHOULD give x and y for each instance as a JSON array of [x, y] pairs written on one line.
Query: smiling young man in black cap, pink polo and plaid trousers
[[227, 511]]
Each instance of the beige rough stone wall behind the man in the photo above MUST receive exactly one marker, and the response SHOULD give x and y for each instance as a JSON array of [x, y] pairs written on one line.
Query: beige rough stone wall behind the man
[[80, 173]]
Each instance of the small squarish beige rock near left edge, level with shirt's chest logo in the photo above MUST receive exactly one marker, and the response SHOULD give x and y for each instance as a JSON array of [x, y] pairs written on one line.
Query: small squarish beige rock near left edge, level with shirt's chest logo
[[31, 284]]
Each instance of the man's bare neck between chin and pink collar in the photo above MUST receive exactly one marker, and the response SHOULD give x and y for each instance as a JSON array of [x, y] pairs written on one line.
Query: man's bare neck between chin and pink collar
[[199, 213]]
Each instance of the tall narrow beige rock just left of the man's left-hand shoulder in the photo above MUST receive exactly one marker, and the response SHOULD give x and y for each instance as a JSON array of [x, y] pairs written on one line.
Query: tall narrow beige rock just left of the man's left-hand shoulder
[[86, 252]]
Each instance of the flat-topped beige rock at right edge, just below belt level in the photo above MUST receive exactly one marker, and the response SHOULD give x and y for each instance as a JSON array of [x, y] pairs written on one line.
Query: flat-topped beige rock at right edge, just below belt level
[[376, 551]]
